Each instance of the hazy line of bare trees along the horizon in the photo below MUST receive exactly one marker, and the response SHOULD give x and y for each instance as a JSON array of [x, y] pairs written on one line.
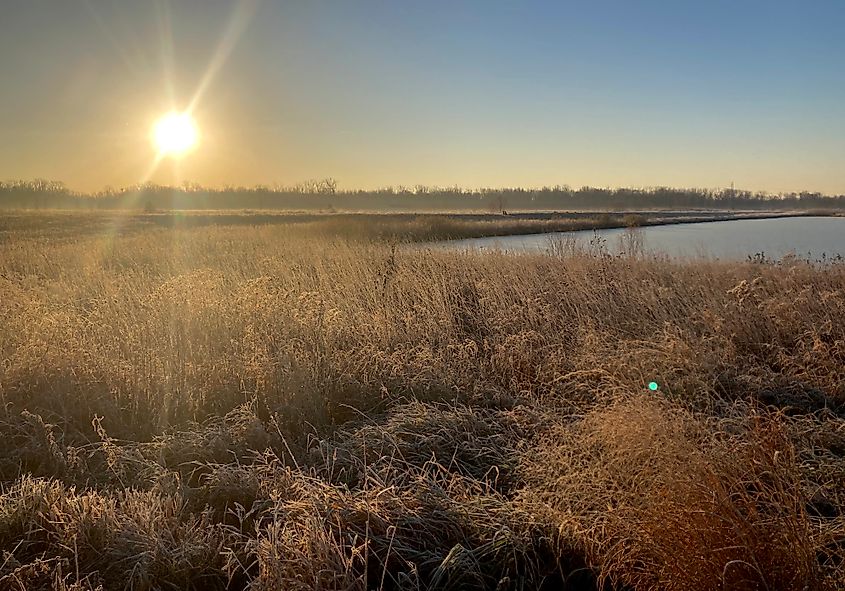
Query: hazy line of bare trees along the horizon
[[324, 195]]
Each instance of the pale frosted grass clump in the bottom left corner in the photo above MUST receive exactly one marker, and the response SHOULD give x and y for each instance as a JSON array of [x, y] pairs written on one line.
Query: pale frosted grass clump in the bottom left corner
[[141, 539]]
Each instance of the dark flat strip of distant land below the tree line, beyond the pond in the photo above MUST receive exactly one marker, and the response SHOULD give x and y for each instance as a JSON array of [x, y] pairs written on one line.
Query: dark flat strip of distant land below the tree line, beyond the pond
[[406, 227]]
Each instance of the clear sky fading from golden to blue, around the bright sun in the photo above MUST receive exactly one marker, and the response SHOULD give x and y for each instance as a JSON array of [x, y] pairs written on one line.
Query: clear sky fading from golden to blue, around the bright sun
[[473, 93]]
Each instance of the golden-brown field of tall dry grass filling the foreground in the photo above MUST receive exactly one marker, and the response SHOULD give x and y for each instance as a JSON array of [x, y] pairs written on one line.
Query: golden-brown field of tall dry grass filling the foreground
[[301, 405]]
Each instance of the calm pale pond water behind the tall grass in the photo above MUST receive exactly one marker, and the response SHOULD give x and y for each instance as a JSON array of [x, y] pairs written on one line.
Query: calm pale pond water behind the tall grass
[[806, 237]]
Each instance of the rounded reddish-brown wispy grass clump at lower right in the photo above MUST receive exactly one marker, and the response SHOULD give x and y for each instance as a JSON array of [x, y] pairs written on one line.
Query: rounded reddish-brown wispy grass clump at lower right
[[662, 500]]
